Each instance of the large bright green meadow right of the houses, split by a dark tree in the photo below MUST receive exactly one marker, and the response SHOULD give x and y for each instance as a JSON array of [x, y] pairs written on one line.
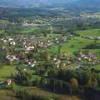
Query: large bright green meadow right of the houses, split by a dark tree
[[73, 45]]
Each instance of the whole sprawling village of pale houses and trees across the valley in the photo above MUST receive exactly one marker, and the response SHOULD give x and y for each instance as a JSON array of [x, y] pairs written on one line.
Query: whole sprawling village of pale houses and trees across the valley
[[31, 53]]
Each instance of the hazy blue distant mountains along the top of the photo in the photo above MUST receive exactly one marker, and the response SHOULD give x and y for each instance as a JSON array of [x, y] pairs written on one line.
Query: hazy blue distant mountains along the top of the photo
[[68, 4]]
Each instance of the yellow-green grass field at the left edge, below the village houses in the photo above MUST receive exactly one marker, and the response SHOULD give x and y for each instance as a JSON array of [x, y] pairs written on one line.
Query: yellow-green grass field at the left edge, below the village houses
[[6, 71]]
